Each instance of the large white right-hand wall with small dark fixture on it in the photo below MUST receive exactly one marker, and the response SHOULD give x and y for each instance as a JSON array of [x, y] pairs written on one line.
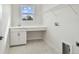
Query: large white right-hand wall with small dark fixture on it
[[67, 31]]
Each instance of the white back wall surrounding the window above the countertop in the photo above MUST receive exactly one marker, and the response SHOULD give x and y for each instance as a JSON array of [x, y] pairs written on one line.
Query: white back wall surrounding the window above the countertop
[[16, 16]]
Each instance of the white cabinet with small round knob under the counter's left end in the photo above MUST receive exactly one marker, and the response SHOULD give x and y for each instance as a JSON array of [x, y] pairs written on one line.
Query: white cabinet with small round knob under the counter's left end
[[17, 37]]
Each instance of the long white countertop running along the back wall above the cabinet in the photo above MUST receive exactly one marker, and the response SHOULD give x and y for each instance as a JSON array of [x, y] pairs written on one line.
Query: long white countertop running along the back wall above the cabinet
[[31, 28]]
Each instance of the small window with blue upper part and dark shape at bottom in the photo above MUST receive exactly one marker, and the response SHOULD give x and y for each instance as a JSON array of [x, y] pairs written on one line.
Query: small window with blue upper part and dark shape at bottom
[[27, 13]]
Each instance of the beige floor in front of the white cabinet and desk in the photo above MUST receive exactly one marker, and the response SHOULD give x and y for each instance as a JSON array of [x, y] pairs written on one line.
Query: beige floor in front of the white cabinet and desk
[[32, 47]]
